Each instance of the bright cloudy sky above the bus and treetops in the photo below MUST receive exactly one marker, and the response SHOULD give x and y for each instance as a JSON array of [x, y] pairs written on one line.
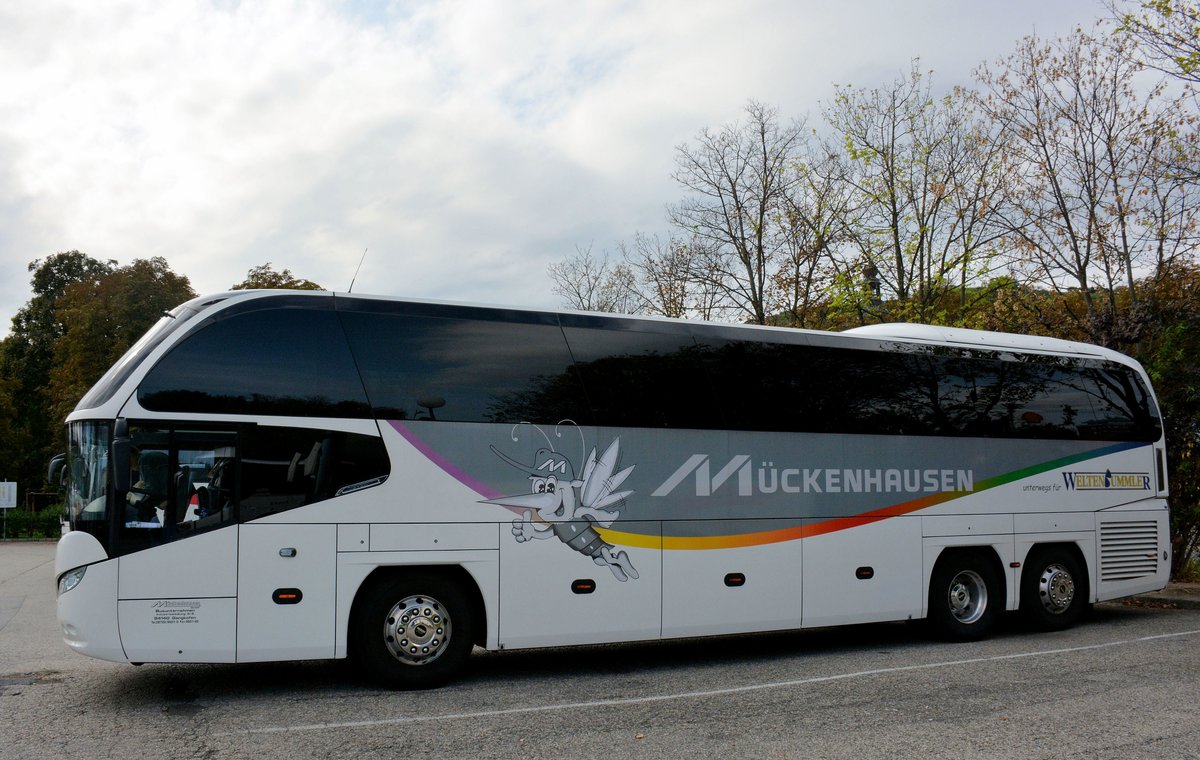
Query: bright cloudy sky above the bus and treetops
[[466, 143]]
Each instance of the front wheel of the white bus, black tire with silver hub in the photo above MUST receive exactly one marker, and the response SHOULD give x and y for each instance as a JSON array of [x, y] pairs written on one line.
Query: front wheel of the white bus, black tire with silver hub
[[413, 631]]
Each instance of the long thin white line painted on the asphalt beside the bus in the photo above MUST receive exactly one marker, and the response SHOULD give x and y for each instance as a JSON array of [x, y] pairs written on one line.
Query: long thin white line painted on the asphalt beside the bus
[[682, 696]]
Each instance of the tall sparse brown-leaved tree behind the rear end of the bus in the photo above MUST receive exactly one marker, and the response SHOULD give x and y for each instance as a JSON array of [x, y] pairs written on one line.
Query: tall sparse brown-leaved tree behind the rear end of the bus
[[1085, 148]]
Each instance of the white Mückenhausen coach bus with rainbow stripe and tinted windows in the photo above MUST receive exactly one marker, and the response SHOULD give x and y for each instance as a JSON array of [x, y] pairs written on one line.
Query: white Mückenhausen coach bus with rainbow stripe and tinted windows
[[281, 476]]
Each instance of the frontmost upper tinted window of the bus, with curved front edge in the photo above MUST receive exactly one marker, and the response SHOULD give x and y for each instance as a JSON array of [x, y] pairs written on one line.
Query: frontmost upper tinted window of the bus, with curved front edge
[[283, 362]]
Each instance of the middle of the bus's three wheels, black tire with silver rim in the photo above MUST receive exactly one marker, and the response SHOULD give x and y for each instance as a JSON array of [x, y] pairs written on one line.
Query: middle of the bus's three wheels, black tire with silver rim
[[965, 597]]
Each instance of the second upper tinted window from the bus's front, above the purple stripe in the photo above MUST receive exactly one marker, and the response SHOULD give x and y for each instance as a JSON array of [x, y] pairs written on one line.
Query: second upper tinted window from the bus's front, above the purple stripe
[[465, 370]]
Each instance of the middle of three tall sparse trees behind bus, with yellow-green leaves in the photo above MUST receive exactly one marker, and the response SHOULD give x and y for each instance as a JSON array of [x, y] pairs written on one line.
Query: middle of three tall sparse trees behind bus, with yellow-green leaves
[[925, 192]]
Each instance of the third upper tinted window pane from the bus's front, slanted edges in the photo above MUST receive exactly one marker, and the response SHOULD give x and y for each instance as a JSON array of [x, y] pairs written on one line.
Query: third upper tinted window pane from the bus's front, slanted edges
[[644, 379]]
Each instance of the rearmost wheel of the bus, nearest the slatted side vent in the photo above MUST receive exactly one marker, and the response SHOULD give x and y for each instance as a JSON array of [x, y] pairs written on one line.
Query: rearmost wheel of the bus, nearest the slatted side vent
[[1054, 590]]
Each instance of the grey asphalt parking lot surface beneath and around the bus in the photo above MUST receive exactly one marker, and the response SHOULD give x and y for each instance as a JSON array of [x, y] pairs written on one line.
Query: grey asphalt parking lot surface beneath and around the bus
[[1126, 684]]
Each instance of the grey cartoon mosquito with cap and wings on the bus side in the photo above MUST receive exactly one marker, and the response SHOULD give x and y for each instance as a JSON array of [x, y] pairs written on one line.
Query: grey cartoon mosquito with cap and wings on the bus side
[[568, 508]]
